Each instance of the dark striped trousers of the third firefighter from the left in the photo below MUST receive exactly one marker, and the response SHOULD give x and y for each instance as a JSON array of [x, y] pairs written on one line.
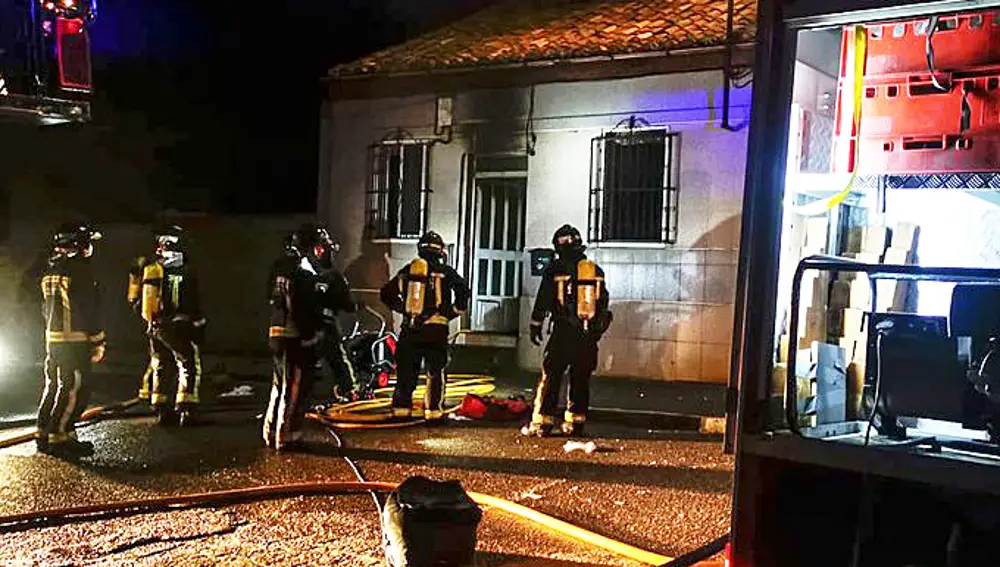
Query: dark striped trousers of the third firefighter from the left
[[291, 385]]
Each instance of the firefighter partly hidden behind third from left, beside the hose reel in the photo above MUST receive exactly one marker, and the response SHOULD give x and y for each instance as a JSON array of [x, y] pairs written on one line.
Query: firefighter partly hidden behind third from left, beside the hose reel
[[334, 296]]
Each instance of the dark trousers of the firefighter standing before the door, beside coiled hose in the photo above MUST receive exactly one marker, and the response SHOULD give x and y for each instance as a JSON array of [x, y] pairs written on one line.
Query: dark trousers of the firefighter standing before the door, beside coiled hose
[[425, 346]]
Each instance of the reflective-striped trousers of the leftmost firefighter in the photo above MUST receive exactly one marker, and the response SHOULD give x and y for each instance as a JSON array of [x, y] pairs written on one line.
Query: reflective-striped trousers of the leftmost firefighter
[[66, 392]]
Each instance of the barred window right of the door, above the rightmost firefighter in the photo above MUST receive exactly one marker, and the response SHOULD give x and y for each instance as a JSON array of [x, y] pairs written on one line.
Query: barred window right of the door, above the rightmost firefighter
[[634, 186]]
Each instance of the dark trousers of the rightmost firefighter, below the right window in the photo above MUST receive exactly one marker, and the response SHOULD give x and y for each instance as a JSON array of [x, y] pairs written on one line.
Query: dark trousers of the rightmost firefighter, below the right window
[[569, 349]]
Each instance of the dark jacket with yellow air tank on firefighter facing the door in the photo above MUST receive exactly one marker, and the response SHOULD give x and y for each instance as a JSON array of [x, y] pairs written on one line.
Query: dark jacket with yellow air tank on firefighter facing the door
[[426, 293]]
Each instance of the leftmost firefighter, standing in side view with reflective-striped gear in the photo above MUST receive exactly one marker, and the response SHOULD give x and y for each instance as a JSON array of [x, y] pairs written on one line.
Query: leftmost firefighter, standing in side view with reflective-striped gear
[[74, 338]]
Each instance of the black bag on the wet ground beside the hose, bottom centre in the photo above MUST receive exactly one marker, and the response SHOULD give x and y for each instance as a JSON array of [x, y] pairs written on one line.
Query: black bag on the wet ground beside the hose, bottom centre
[[427, 523]]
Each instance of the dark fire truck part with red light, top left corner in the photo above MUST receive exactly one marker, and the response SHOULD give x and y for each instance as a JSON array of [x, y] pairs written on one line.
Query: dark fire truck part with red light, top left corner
[[45, 60]]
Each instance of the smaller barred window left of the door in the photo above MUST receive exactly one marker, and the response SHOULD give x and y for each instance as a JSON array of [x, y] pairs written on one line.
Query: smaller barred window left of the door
[[397, 197]]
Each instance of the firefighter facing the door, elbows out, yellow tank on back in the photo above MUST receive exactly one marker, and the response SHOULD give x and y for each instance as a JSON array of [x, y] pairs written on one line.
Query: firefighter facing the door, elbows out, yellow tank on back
[[429, 294]]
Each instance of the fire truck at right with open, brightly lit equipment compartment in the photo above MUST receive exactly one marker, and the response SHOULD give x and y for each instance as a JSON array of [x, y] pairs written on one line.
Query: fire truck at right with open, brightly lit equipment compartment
[[866, 341]]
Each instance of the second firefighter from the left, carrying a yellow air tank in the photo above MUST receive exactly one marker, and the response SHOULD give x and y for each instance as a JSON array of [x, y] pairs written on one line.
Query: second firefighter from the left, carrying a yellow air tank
[[171, 308]]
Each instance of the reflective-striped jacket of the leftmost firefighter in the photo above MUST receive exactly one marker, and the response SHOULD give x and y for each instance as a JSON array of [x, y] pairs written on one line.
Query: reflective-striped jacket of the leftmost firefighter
[[71, 303]]
